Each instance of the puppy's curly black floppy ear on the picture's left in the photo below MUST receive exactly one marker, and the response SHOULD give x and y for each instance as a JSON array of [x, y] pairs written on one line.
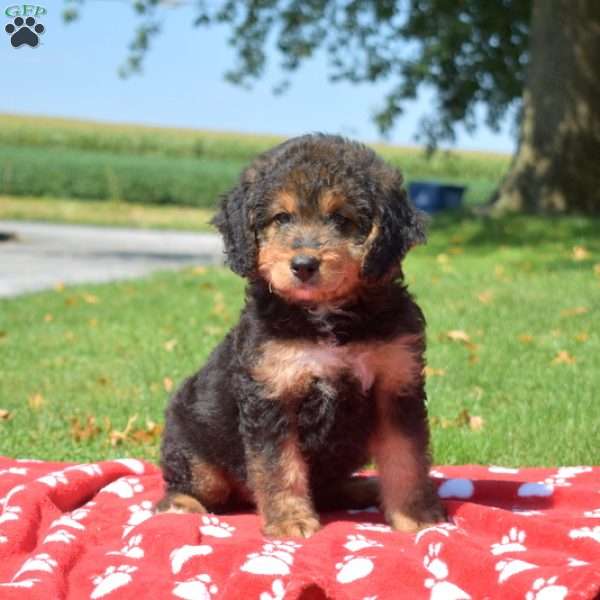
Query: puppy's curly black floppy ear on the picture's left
[[235, 221]]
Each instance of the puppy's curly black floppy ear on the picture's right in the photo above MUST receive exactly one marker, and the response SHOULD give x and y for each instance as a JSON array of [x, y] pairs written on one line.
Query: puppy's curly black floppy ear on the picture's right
[[396, 229]]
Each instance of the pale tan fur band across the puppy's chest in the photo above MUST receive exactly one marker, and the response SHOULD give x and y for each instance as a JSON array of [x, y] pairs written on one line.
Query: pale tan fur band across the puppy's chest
[[287, 369]]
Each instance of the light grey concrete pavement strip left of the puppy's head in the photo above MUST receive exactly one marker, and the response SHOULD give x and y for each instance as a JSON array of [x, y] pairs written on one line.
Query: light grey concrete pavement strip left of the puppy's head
[[42, 255]]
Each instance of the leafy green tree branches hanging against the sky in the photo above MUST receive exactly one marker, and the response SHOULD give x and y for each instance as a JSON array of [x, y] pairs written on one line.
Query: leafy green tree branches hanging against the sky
[[469, 53]]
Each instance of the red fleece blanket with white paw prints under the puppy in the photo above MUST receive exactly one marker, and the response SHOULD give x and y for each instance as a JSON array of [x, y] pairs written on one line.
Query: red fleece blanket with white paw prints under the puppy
[[88, 531]]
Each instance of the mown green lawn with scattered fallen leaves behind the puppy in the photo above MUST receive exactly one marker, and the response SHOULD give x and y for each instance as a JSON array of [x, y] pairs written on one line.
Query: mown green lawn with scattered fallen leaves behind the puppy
[[512, 307]]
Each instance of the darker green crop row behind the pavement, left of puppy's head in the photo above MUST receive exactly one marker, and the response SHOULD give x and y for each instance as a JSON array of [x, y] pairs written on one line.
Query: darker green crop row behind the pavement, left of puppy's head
[[104, 176]]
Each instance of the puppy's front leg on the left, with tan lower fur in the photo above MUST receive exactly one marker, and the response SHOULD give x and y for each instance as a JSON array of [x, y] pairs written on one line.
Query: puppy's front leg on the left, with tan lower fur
[[277, 472]]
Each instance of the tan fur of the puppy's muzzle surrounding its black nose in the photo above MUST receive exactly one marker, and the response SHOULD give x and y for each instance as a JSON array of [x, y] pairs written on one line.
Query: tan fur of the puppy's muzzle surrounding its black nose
[[338, 276]]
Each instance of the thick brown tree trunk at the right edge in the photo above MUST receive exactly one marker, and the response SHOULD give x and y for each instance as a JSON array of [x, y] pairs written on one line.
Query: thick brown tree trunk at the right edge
[[557, 164]]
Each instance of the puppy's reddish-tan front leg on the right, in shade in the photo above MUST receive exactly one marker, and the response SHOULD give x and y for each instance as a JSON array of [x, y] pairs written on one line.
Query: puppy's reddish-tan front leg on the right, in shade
[[401, 450]]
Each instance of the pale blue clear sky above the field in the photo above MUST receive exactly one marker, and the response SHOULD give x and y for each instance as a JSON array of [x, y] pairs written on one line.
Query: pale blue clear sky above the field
[[74, 73]]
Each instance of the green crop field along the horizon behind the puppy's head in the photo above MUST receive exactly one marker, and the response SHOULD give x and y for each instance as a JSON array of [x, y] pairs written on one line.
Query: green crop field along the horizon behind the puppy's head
[[83, 160]]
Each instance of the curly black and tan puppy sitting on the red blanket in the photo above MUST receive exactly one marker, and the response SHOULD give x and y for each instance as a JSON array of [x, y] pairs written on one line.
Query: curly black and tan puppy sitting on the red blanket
[[324, 370]]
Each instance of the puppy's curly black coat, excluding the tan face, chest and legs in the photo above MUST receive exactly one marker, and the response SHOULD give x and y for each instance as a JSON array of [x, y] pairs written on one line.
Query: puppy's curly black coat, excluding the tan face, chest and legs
[[222, 416]]
